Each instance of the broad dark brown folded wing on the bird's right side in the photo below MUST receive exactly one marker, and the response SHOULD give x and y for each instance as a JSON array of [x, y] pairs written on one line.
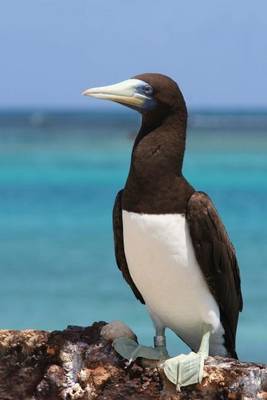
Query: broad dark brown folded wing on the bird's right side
[[217, 260]]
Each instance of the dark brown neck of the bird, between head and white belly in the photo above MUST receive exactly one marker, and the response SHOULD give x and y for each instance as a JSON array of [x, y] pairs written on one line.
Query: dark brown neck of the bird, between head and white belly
[[155, 183]]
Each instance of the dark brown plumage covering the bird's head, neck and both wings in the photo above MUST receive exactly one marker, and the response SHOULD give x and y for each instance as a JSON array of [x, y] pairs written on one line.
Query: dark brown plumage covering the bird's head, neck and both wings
[[156, 185]]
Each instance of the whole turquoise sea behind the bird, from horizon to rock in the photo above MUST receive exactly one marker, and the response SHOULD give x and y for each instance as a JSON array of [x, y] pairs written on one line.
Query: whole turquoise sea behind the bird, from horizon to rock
[[59, 174]]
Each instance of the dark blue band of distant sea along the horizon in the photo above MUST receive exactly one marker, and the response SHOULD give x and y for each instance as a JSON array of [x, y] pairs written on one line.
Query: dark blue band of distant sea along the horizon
[[198, 118]]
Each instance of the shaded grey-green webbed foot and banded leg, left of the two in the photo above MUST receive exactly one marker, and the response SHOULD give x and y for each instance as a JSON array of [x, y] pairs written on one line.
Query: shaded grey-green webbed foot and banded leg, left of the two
[[131, 350]]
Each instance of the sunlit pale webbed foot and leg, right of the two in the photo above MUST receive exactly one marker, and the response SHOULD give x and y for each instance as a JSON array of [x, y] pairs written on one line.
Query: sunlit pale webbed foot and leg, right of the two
[[185, 370]]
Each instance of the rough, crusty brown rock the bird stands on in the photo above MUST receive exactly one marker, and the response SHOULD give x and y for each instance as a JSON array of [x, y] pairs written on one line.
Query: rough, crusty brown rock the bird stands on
[[80, 363]]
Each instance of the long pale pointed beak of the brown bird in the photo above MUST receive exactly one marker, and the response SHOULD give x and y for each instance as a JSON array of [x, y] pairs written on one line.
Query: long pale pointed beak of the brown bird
[[127, 92]]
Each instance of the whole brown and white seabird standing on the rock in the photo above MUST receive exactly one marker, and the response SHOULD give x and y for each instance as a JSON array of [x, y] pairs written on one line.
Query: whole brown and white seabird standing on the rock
[[170, 243]]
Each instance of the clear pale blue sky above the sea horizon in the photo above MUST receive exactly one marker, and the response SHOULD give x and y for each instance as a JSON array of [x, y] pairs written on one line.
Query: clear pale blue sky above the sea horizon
[[50, 50]]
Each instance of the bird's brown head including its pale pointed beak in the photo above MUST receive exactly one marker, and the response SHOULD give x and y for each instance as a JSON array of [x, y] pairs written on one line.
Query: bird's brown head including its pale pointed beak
[[145, 93]]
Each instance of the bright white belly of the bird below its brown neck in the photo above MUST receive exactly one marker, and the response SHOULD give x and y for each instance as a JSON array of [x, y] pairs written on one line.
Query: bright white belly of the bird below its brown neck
[[163, 266]]
